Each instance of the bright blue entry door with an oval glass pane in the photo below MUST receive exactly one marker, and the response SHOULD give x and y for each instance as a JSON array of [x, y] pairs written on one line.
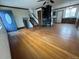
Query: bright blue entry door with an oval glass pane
[[8, 20]]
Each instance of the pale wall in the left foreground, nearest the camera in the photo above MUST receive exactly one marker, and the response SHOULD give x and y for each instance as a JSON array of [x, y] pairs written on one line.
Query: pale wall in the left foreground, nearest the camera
[[4, 45]]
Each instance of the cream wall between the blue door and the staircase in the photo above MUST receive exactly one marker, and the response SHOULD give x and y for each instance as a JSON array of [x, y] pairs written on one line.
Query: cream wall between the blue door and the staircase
[[19, 14]]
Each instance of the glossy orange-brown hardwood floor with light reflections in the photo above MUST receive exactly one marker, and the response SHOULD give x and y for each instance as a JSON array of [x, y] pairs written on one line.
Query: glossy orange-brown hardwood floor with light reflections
[[58, 42]]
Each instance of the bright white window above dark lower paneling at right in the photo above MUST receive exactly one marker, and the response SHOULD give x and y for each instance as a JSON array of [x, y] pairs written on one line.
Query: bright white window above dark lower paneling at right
[[70, 12]]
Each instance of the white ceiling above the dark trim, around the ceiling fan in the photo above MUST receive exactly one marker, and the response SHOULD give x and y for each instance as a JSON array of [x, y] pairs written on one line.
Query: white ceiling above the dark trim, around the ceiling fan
[[29, 3]]
